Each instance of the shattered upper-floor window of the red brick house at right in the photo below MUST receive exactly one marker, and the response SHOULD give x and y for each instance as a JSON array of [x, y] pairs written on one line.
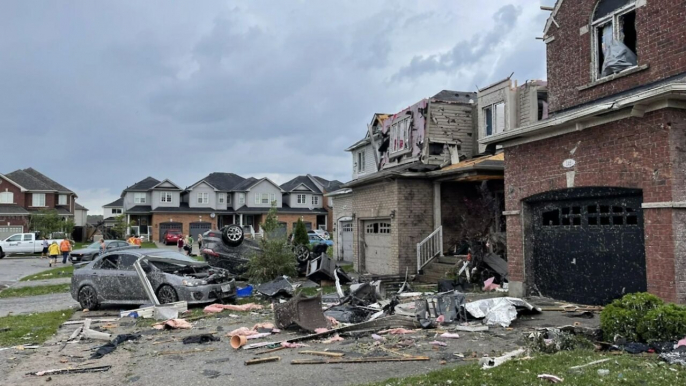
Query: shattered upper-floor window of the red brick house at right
[[614, 36]]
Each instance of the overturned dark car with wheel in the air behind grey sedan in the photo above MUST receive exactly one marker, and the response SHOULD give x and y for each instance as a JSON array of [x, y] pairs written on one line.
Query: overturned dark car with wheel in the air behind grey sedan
[[228, 248]]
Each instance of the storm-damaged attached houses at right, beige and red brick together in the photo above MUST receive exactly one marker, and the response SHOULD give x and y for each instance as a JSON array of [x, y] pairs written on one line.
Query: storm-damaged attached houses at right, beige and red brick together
[[589, 168]]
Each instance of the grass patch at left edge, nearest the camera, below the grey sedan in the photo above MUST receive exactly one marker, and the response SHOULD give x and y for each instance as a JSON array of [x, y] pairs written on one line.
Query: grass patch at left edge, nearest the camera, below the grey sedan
[[30, 329]]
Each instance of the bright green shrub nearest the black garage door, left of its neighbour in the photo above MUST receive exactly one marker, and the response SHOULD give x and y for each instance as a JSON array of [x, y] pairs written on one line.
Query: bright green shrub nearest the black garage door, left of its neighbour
[[623, 315]]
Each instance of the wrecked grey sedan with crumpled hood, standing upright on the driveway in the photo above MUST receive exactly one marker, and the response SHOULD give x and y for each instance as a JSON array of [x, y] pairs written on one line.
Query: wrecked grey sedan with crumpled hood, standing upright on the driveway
[[112, 279]]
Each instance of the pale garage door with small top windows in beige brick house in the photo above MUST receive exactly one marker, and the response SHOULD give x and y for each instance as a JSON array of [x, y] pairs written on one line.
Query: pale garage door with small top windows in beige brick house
[[377, 247]]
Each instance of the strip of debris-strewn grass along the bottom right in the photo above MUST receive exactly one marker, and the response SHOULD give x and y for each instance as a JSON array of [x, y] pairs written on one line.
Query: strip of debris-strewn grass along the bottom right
[[624, 369]]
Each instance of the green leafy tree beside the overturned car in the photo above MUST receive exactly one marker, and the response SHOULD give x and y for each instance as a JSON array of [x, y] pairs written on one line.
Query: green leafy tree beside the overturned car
[[276, 257]]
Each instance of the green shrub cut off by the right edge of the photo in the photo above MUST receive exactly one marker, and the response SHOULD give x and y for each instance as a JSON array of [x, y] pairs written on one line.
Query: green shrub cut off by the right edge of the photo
[[665, 323]]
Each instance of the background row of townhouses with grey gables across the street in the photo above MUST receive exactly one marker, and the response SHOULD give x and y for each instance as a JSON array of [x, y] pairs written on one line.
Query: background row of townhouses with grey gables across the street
[[153, 206]]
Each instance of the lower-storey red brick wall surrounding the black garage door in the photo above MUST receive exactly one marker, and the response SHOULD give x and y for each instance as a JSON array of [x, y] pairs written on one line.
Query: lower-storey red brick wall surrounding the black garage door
[[631, 153]]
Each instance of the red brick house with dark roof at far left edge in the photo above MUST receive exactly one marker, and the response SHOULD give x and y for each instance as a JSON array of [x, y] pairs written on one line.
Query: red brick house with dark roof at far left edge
[[27, 191]]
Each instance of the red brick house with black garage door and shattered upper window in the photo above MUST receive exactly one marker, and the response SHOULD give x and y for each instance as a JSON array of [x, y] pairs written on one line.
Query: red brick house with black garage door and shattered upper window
[[596, 193]]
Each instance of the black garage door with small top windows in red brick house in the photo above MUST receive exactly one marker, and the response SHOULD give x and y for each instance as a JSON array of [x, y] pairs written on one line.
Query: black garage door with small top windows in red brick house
[[589, 245]]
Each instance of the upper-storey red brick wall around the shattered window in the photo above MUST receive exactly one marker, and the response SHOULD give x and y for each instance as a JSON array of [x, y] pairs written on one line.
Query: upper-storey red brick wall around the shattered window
[[661, 30]]
